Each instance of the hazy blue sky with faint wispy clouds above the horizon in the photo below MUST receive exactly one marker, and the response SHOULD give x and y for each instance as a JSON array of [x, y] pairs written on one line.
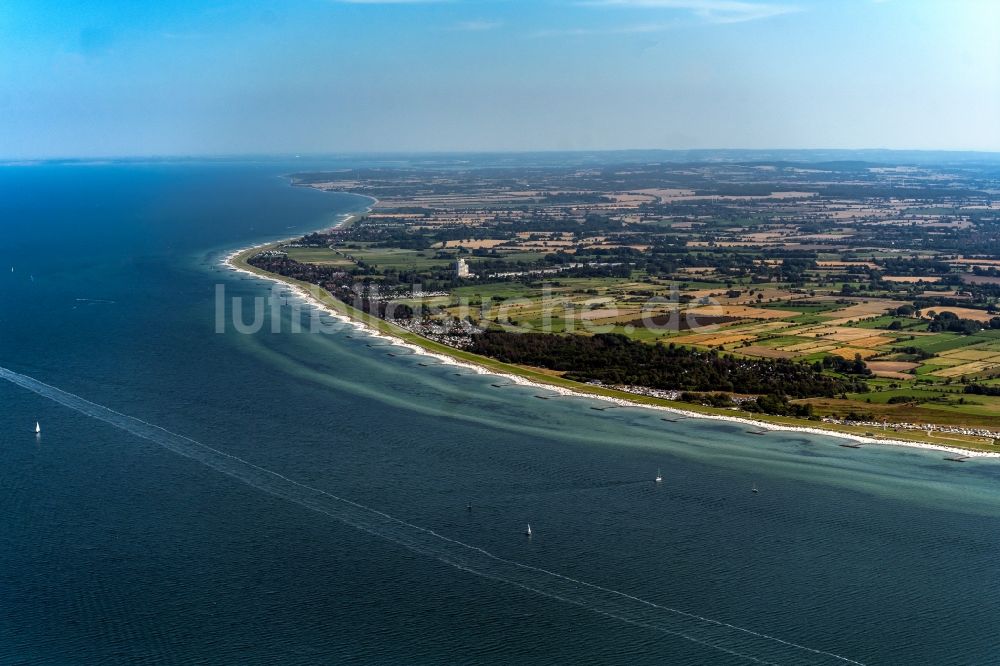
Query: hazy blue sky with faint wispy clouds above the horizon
[[93, 78]]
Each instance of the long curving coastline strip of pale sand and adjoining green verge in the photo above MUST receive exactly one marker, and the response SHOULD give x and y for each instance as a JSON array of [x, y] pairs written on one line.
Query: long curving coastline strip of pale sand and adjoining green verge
[[236, 261]]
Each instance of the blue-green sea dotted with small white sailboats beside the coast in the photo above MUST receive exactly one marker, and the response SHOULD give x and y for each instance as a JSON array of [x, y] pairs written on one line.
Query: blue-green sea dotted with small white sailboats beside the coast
[[329, 525]]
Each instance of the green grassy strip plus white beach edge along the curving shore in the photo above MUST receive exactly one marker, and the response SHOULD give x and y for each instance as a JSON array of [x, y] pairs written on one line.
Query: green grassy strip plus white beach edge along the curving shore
[[957, 445]]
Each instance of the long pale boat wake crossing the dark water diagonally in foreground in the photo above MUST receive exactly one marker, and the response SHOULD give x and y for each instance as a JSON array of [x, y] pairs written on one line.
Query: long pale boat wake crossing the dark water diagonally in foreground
[[737, 641]]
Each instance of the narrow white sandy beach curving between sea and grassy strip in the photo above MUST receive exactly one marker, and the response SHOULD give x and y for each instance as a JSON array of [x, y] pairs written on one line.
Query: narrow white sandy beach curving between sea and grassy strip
[[229, 261]]
